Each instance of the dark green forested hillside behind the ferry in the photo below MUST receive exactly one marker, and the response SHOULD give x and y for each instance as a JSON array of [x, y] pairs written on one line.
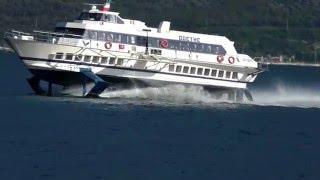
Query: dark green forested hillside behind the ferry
[[259, 27]]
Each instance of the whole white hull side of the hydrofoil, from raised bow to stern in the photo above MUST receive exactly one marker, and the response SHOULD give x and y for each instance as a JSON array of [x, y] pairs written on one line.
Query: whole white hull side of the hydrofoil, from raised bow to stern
[[39, 55]]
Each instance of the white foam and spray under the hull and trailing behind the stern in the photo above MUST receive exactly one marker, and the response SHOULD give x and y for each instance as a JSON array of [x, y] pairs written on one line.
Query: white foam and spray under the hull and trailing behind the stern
[[278, 94]]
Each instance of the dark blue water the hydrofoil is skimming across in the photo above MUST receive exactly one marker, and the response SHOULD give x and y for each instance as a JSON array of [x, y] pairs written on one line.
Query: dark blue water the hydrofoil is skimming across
[[166, 133]]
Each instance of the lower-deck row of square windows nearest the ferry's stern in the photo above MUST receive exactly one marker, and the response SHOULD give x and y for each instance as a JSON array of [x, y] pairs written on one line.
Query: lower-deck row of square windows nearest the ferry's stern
[[203, 72]]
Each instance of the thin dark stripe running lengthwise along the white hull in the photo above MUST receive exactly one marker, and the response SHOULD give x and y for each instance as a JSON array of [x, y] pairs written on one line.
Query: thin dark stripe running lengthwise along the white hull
[[123, 68]]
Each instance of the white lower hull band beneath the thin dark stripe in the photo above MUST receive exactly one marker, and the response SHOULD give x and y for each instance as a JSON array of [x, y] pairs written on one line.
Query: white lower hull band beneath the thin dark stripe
[[149, 77]]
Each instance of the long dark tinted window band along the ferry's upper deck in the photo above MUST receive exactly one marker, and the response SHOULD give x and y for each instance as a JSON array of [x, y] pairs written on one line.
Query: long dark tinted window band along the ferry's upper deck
[[142, 41]]
